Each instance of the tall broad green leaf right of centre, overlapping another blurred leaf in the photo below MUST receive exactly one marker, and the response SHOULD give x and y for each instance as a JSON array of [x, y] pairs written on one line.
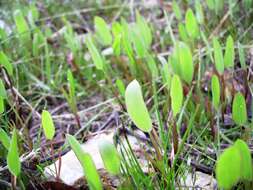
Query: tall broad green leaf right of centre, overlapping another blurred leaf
[[186, 64]]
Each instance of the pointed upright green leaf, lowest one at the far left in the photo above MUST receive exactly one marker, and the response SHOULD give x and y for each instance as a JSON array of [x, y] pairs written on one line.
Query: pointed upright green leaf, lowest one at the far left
[[13, 161]]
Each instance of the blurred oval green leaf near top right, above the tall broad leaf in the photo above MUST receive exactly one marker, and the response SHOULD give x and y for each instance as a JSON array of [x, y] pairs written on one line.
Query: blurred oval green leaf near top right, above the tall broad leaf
[[191, 24]]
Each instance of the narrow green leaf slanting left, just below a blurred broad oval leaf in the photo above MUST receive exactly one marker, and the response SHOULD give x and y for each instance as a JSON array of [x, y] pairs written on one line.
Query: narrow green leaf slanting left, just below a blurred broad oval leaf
[[97, 59]]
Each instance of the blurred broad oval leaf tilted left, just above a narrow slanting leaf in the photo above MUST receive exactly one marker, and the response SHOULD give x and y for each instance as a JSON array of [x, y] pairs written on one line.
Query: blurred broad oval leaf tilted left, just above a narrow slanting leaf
[[102, 31]]
